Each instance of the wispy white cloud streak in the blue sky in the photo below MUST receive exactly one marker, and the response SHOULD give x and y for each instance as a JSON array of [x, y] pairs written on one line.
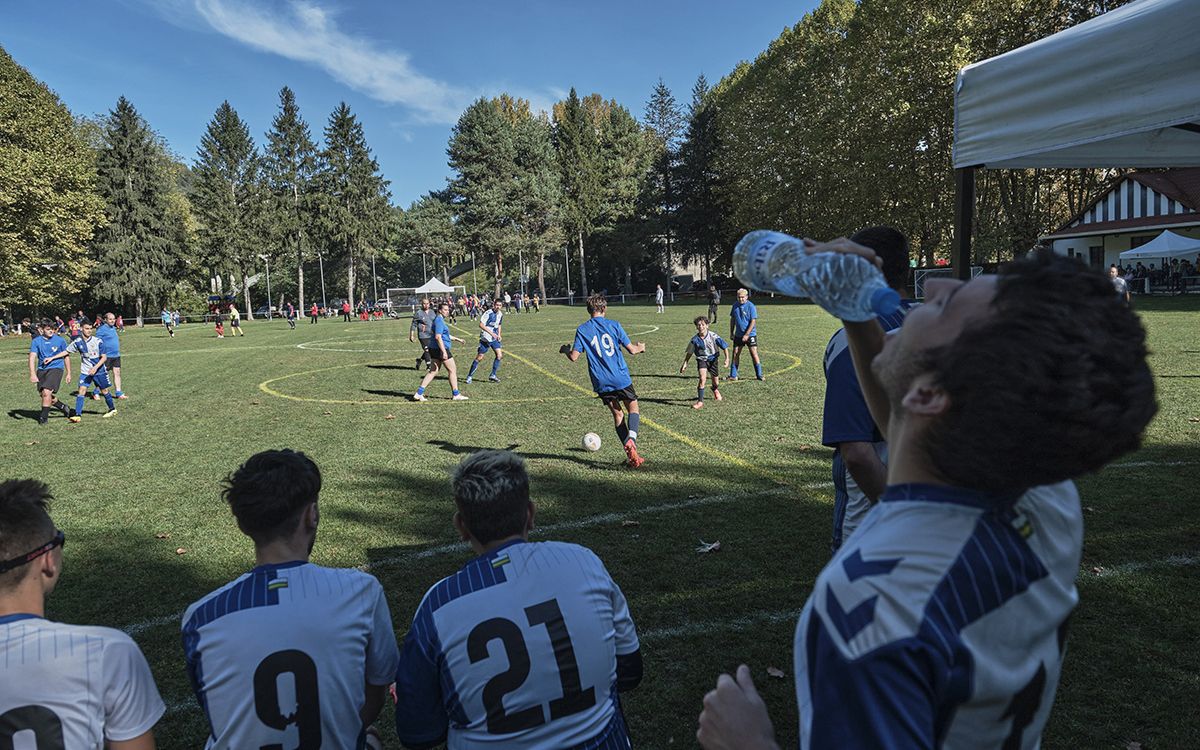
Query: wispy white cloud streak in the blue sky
[[307, 33]]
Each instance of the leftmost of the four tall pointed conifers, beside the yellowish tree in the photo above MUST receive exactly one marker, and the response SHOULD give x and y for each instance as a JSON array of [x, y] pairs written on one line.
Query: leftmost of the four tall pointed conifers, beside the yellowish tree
[[136, 259]]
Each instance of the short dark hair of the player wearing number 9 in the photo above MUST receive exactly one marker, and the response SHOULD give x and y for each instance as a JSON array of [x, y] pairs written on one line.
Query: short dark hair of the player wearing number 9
[[268, 493]]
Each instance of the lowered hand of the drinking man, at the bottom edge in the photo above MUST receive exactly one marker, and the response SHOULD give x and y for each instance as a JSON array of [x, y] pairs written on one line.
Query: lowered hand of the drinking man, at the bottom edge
[[735, 718]]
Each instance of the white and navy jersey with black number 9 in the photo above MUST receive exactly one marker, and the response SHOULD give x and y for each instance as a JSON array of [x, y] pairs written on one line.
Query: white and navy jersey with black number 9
[[281, 656]]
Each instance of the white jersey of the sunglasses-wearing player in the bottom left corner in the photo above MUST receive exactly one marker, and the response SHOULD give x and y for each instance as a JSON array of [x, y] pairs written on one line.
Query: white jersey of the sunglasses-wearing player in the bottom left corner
[[73, 687]]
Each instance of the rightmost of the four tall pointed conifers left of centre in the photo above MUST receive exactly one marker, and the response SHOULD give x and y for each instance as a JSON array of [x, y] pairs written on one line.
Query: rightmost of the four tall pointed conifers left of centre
[[353, 195]]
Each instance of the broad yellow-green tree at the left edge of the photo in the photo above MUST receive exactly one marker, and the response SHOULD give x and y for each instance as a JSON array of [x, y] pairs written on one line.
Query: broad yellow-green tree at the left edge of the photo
[[49, 202]]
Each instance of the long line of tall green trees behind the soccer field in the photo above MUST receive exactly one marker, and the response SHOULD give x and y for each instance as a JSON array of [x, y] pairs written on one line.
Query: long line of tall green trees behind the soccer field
[[845, 121]]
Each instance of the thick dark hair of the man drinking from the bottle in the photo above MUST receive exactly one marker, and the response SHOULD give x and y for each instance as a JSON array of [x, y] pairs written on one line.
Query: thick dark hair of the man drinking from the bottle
[[1052, 386]]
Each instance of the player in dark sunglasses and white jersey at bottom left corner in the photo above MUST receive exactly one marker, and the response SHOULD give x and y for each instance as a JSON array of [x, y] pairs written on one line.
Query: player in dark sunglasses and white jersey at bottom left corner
[[61, 686]]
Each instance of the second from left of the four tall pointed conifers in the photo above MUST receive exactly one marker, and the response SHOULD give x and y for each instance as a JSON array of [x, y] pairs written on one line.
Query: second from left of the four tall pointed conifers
[[229, 197]]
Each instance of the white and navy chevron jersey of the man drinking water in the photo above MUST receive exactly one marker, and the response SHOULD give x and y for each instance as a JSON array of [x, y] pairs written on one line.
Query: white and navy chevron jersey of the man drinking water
[[943, 622]]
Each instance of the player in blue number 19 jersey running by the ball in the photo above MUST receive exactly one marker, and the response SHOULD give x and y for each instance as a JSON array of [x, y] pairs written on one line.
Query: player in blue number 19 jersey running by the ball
[[603, 340]]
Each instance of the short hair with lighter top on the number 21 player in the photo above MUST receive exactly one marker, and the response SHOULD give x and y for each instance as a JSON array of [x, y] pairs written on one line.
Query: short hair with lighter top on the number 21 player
[[491, 490]]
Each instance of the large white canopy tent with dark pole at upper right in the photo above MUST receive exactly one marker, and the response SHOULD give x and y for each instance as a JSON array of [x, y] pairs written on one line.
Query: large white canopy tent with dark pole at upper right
[[1119, 91]]
